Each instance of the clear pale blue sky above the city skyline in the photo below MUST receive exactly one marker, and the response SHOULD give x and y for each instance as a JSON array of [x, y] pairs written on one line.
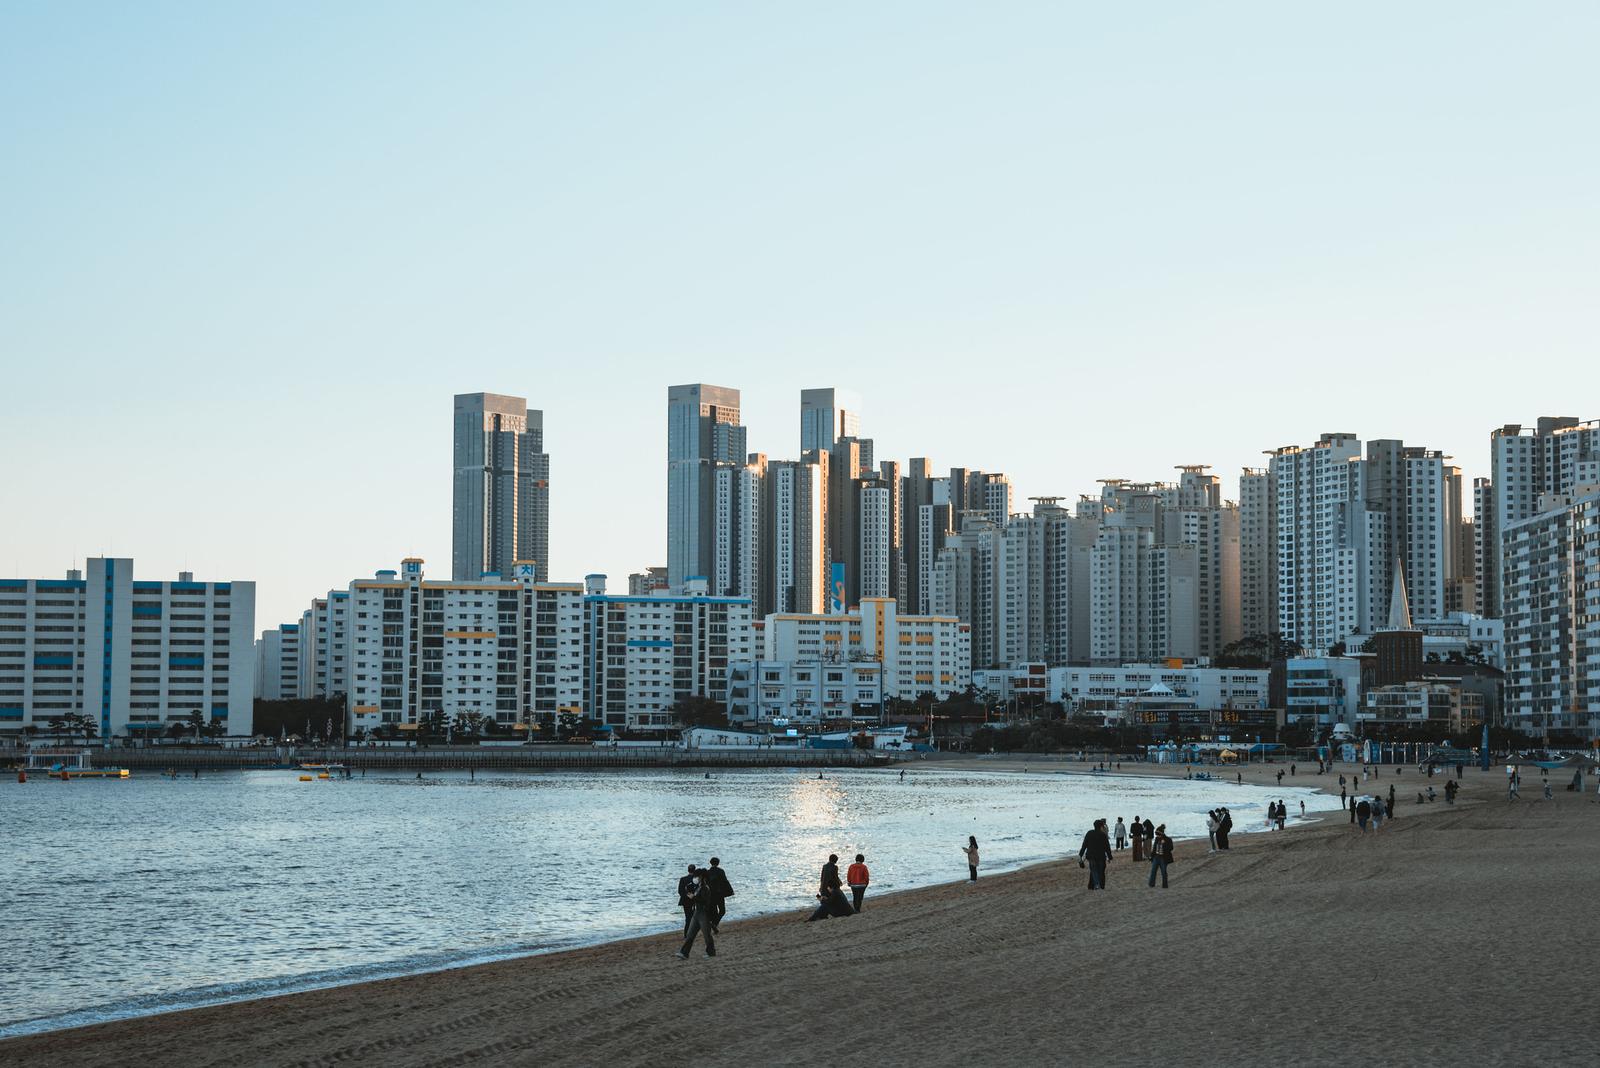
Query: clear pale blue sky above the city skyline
[[249, 252]]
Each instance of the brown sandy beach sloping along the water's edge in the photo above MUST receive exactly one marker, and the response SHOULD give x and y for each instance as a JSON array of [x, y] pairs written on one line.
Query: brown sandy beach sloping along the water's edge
[[1457, 934]]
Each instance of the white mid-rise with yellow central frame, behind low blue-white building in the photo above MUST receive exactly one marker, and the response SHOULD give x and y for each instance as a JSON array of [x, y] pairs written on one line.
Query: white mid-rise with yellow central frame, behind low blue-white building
[[919, 655]]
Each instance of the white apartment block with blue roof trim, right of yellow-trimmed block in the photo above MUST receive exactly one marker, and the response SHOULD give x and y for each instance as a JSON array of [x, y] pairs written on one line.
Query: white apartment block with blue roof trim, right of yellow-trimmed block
[[644, 655]]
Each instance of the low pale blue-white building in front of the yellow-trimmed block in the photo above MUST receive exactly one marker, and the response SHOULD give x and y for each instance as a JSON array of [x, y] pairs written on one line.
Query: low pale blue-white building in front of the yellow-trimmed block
[[804, 693]]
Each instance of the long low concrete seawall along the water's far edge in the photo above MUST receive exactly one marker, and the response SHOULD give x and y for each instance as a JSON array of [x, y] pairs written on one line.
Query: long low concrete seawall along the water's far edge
[[458, 759]]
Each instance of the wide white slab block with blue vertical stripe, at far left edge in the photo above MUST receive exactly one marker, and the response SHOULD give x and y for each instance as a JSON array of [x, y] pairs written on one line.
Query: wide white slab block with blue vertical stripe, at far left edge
[[134, 658]]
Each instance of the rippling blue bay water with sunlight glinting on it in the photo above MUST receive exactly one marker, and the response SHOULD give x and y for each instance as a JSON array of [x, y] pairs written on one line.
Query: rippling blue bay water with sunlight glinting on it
[[153, 895]]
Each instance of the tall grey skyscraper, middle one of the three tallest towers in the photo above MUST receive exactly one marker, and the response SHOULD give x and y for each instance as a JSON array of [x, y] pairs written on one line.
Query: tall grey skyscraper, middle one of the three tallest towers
[[703, 431]]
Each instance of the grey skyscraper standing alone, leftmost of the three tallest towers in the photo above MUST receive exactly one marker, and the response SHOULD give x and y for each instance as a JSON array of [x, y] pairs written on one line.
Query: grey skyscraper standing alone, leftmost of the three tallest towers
[[502, 490]]
